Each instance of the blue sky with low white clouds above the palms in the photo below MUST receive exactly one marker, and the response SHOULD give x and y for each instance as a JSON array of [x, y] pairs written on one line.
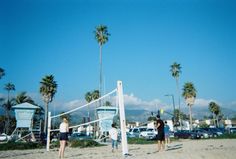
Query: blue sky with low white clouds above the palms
[[43, 37]]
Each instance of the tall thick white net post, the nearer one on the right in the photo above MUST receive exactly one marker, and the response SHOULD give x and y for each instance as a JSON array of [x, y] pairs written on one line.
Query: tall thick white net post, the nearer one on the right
[[122, 118]]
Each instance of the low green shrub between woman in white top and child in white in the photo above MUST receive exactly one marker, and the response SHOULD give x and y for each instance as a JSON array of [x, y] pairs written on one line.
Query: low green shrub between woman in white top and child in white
[[84, 143]]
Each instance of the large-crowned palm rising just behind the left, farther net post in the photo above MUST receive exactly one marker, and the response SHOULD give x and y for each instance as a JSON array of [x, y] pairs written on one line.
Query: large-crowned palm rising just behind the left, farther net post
[[48, 90]]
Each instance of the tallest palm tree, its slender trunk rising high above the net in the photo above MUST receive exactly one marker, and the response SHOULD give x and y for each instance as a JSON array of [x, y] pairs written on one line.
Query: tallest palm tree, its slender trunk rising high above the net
[[101, 35]]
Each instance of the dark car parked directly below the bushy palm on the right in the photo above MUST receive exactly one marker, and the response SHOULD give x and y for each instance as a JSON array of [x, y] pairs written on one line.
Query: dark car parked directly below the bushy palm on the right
[[186, 134]]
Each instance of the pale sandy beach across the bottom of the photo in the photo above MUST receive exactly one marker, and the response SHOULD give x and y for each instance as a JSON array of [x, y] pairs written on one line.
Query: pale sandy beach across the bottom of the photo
[[187, 149]]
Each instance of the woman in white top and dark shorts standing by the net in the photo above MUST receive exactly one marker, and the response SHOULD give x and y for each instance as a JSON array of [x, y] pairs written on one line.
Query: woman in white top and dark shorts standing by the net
[[64, 130]]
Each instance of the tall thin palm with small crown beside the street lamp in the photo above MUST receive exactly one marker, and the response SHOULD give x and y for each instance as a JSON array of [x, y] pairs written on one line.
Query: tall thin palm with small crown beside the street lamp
[[175, 72]]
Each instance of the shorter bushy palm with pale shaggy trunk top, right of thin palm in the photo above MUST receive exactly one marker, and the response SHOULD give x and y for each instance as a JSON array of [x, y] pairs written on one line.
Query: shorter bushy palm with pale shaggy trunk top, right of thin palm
[[189, 94]]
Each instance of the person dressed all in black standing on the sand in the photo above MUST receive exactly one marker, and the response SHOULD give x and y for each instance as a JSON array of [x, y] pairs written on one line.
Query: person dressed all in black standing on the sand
[[161, 134]]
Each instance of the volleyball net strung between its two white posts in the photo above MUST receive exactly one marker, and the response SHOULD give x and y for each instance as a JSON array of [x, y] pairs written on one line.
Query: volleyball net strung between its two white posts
[[95, 117]]
